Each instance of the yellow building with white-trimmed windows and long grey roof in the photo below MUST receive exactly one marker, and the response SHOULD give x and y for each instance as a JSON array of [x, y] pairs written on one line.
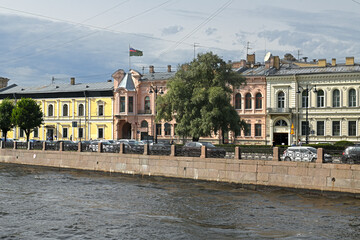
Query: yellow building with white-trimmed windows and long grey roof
[[71, 111]]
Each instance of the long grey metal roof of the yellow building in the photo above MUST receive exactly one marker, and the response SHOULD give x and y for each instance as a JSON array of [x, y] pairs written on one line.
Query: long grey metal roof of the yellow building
[[58, 88]]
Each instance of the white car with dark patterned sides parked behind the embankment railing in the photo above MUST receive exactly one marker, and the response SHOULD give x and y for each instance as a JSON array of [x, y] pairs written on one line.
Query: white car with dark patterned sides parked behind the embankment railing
[[303, 154]]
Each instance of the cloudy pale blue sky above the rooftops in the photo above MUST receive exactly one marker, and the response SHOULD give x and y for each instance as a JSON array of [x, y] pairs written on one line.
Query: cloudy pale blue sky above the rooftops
[[50, 40]]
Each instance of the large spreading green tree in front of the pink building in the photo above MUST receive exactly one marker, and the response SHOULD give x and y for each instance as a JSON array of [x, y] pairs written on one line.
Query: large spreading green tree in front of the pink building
[[199, 98]]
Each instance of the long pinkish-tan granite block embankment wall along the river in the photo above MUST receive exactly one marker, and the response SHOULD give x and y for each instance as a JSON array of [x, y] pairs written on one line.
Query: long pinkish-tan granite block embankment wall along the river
[[316, 176]]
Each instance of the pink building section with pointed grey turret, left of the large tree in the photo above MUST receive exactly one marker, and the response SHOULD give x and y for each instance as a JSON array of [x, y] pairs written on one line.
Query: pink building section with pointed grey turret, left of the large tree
[[134, 108]]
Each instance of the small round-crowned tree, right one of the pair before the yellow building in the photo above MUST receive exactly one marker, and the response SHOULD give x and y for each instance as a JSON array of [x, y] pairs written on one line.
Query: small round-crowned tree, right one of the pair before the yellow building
[[27, 115]]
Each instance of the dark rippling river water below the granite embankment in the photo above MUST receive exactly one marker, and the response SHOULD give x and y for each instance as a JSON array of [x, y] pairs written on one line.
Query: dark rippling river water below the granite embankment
[[44, 203]]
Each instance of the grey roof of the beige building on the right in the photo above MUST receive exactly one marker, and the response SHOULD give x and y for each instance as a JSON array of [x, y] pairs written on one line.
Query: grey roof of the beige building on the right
[[291, 69]]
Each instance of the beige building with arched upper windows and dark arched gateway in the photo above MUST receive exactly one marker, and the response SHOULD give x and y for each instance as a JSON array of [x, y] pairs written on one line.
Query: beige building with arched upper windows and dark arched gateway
[[315, 102]]
